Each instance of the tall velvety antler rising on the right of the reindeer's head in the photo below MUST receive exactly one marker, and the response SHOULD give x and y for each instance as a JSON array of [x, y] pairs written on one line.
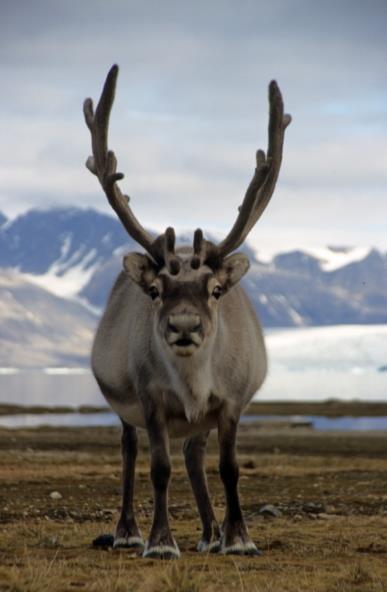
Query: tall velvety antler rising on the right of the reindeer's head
[[263, 183]]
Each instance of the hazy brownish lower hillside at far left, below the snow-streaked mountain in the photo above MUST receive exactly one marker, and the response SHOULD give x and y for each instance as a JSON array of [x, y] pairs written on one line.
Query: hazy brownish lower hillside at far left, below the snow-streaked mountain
[[39, 329]]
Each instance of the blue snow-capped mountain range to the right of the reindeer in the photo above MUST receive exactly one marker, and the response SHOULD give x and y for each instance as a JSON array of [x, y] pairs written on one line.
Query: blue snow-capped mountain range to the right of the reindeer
[[295, 289]]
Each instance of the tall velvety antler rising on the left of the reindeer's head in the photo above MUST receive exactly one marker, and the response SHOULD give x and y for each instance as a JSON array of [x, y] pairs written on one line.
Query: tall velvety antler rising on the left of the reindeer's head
[[103, 164]]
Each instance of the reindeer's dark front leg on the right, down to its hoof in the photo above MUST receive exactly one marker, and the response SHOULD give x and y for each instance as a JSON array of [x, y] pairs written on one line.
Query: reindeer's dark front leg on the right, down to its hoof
[[235, 538]]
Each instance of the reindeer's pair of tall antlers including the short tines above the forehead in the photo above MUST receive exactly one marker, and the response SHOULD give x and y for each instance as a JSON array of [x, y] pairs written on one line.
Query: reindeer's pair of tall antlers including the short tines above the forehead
[[103, 164]]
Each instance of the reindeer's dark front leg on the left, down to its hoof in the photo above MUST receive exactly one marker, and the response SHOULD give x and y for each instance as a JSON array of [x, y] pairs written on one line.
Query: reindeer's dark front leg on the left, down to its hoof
[[161, 543]]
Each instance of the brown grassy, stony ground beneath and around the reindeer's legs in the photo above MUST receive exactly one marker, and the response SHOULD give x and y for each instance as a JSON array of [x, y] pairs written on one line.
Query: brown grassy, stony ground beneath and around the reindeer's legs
[[324, 527]]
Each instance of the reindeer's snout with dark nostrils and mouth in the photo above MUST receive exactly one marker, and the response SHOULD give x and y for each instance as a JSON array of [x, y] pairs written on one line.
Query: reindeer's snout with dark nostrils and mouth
[[184, 332]]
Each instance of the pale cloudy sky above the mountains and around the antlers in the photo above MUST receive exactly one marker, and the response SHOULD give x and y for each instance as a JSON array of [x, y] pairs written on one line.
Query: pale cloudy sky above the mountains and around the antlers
[[191, 109]]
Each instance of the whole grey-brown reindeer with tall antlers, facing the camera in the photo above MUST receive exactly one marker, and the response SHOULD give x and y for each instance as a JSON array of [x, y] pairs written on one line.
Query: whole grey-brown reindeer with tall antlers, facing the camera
[[179, 350]]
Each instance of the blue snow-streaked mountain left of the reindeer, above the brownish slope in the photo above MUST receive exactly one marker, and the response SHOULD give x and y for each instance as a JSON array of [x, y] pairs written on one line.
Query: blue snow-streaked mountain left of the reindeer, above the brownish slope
[[60, 248]]
